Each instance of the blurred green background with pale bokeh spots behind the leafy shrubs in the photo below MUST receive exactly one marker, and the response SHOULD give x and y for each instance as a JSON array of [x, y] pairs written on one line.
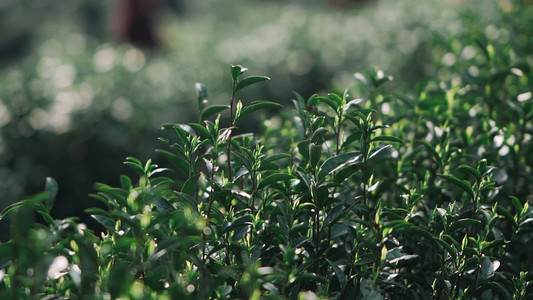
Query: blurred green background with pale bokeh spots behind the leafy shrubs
[[86, 83]]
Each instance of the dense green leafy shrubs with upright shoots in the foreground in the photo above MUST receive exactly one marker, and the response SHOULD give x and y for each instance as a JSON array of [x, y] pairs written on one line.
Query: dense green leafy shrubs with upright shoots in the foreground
[[380, 191]]
